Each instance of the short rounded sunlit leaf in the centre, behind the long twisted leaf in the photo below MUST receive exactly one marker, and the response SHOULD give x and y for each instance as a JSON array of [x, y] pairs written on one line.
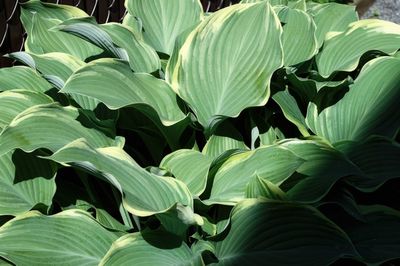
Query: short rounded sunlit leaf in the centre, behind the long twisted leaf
[[189, 166]]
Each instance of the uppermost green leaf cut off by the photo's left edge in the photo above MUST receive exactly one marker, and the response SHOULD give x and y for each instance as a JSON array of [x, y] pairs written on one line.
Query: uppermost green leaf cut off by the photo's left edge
[[20, 77]]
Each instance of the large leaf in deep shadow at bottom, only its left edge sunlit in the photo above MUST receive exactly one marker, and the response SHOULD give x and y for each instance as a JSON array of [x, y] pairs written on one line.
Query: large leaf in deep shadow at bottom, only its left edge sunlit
[[281, 233]]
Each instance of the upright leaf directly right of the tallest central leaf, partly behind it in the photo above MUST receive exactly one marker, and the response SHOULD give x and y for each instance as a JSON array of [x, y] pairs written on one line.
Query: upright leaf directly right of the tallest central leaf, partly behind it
[[298, 38]]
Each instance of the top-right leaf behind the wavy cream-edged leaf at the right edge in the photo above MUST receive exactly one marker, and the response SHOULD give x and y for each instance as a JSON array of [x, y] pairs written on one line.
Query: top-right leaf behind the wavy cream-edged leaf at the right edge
[[331, 17]]
